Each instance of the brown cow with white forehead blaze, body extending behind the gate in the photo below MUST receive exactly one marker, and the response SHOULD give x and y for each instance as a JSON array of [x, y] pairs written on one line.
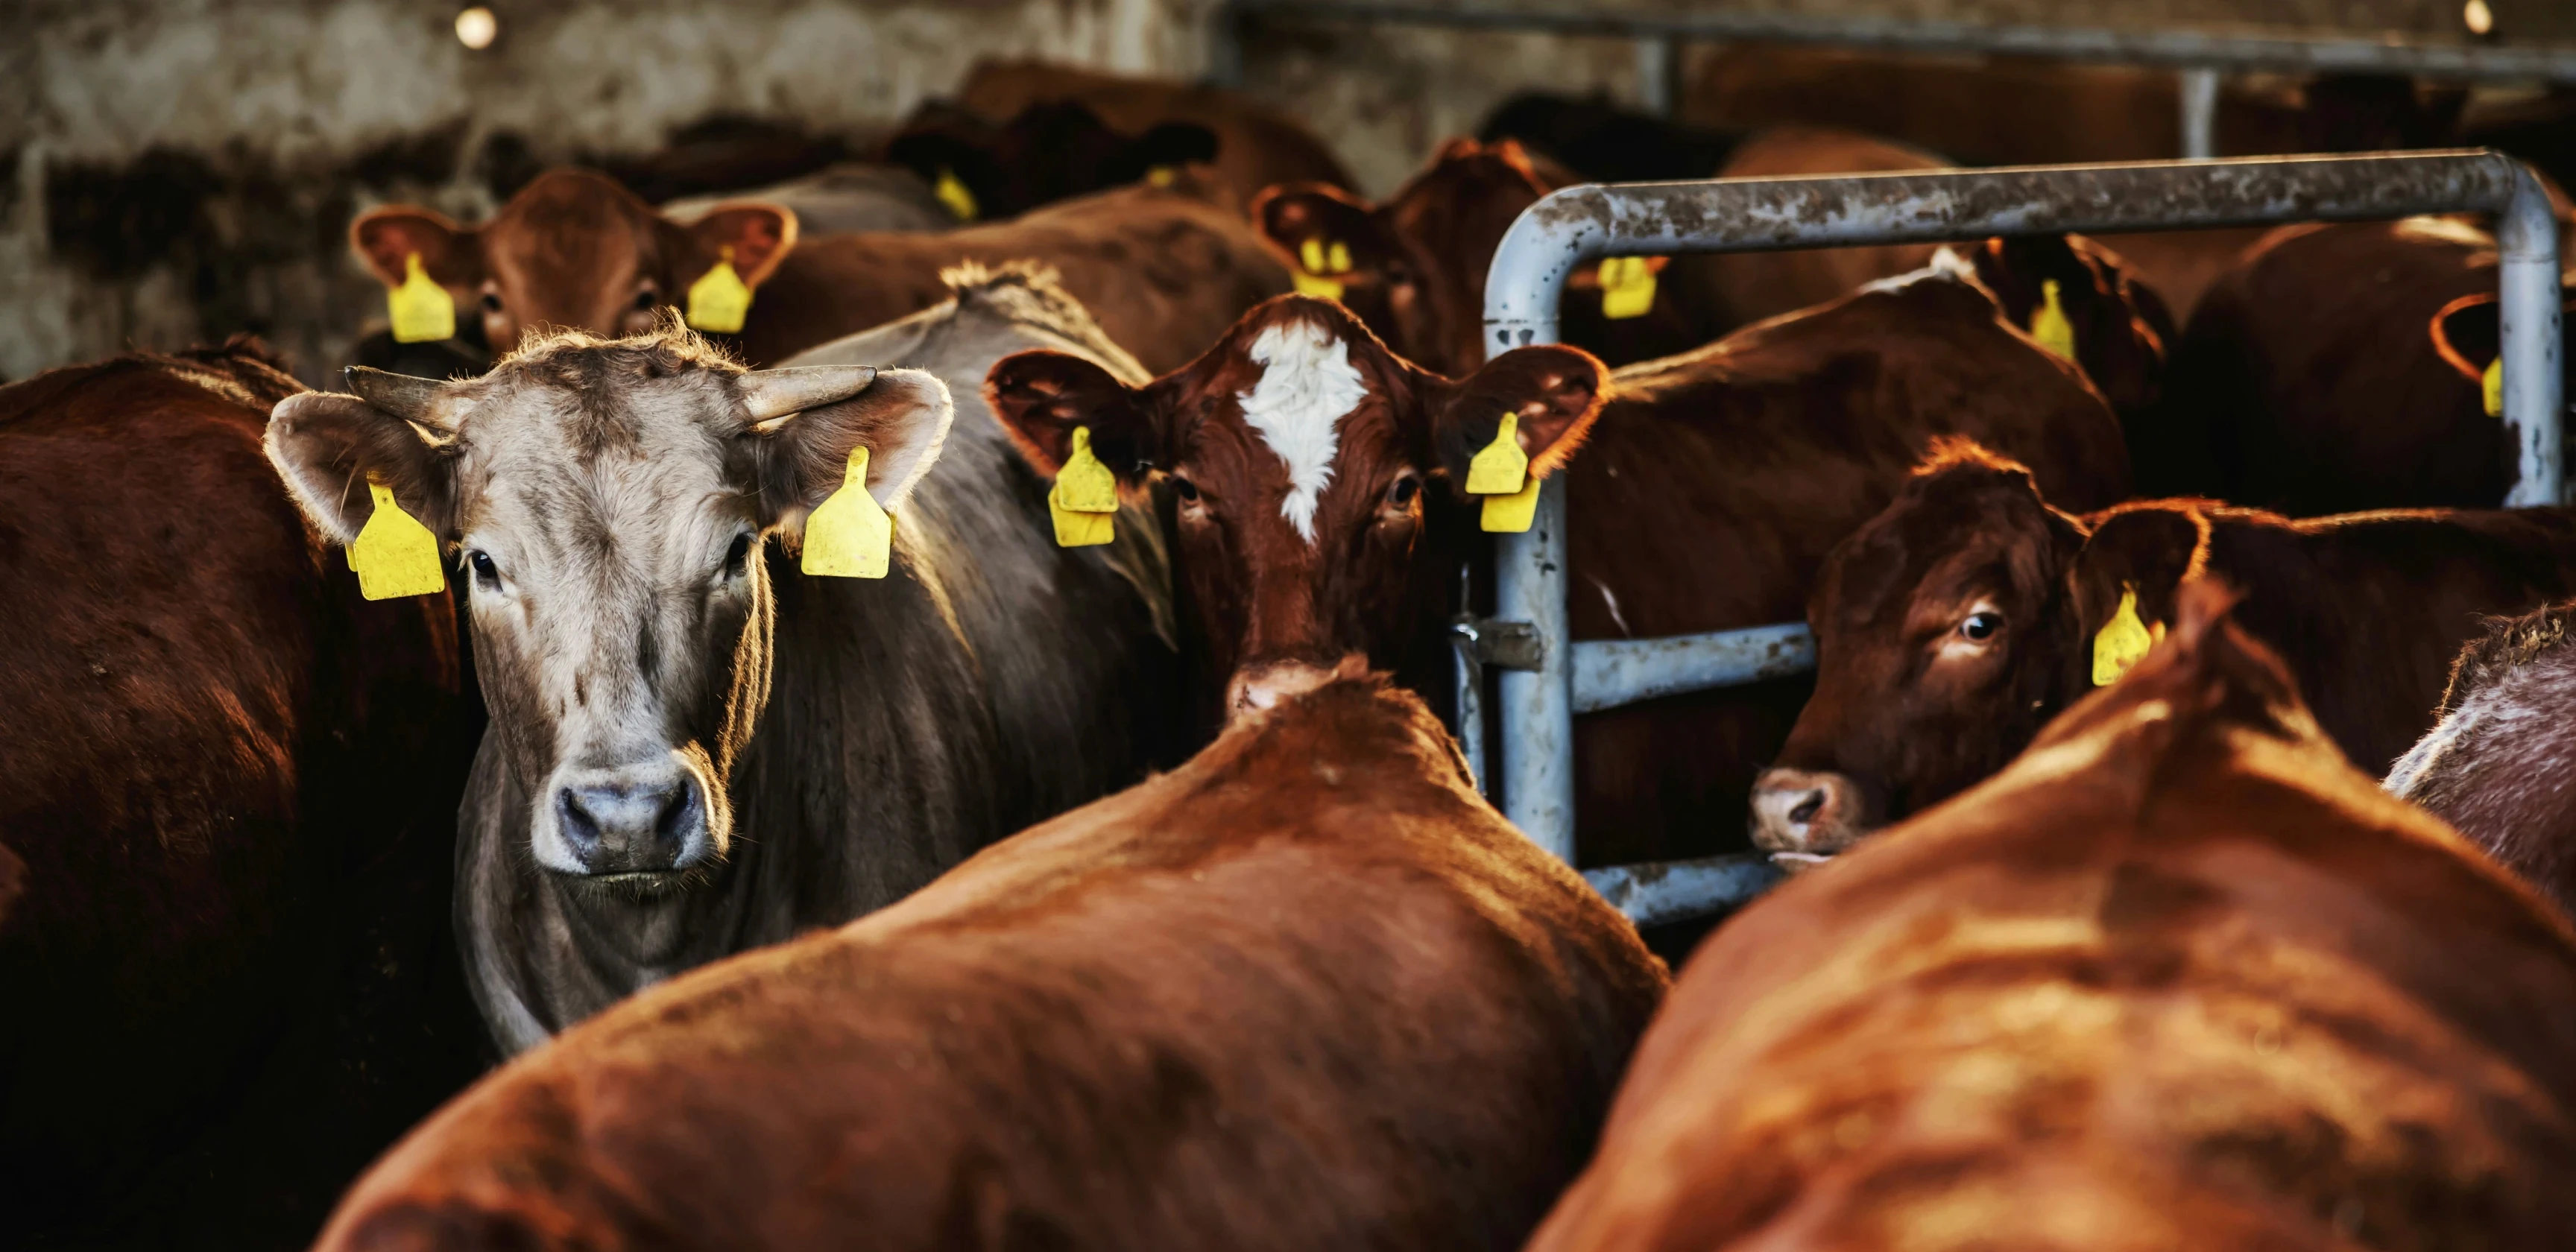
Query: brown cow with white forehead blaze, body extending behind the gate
[[1323, 501]]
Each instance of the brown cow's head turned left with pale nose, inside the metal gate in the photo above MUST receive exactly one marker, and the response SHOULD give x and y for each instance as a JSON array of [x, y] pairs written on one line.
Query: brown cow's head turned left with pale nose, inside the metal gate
[[1944, 643]]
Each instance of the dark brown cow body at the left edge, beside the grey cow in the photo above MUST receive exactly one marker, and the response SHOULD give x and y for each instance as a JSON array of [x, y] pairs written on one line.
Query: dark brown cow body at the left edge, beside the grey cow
[[231, 782]]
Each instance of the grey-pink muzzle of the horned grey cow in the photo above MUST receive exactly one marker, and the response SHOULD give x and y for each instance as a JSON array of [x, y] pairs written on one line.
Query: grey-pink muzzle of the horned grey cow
[[630, 820]]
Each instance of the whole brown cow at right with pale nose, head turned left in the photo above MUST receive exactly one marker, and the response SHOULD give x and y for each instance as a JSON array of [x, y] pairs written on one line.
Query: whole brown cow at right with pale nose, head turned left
[[1969, 612]]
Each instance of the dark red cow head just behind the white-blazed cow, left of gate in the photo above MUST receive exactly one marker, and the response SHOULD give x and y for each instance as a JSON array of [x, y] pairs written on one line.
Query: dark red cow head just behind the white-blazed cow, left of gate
[[1416, 264]]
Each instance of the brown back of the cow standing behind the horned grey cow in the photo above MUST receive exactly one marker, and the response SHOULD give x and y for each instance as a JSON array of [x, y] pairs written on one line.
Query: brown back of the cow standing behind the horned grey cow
[[1163, 272]]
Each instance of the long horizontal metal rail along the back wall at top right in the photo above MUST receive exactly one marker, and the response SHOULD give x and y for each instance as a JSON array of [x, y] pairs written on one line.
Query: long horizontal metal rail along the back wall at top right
[[2217, 50]]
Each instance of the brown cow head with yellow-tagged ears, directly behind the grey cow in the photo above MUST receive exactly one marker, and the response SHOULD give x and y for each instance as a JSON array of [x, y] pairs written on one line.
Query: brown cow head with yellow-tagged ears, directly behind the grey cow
[[573, 251]]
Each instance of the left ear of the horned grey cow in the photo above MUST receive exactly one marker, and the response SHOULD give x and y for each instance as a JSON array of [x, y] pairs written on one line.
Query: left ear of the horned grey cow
[[331, 447]]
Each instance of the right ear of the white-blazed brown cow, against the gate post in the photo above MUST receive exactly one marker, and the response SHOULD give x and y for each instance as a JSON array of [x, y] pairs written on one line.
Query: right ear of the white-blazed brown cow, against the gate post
[[1552, 388]]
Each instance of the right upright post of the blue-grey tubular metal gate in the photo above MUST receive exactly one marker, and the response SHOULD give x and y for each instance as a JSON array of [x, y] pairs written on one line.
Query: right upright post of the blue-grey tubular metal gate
[[2528, 305]]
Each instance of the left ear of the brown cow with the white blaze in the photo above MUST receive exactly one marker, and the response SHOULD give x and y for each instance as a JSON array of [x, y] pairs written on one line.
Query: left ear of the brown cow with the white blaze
[[1042, 398]]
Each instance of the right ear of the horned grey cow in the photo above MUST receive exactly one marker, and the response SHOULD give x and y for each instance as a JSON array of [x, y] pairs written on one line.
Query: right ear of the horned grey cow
[[808, 421]]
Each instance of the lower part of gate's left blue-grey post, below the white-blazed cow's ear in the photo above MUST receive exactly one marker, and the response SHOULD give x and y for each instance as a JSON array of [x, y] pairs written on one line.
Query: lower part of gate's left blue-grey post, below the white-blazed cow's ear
[[1539, 705]]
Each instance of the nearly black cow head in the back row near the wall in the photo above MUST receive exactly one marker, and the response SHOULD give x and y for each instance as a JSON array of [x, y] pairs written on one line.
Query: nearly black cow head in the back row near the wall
[[1047, 153]]
